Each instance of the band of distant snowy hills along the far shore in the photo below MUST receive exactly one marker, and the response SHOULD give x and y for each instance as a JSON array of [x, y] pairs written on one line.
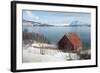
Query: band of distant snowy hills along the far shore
[[73, 24]]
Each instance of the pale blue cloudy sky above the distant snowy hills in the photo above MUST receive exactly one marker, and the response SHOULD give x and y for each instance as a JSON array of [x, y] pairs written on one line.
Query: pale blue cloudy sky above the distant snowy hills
[[56, 18]]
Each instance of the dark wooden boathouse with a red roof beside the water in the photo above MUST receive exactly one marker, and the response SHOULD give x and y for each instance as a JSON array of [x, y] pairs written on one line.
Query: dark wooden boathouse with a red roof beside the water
[[70, 42]]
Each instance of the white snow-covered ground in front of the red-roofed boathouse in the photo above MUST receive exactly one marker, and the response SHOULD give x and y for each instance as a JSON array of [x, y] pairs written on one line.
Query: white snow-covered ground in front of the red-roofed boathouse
[[33, 54]]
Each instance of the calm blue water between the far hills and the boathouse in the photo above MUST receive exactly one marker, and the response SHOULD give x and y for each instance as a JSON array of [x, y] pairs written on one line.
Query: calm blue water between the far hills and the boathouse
[[54, 34]]
